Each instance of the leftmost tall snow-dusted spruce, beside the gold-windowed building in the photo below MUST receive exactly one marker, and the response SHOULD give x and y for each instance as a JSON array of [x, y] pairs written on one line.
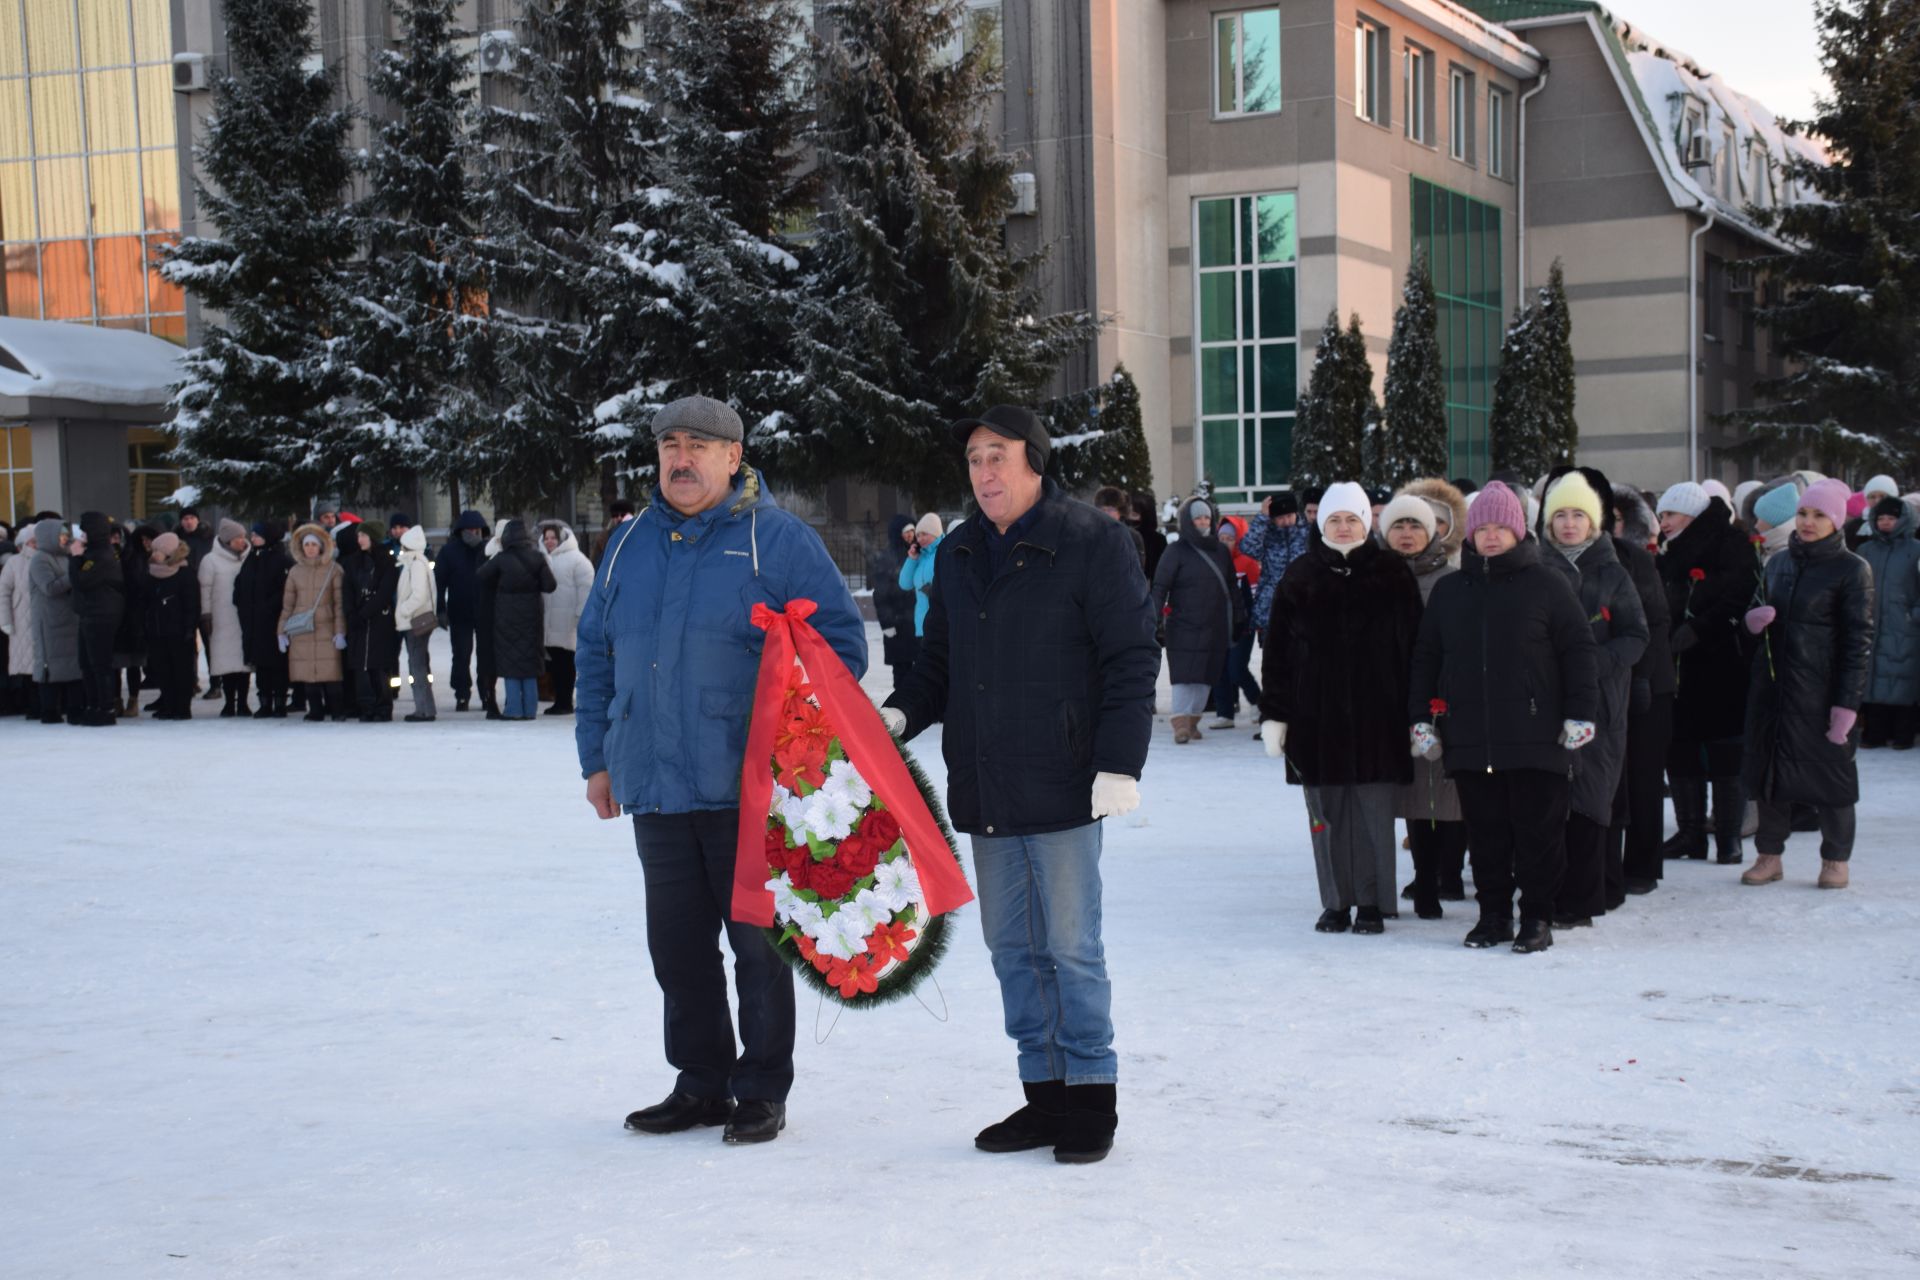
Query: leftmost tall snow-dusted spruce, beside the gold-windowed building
[[258, 417]]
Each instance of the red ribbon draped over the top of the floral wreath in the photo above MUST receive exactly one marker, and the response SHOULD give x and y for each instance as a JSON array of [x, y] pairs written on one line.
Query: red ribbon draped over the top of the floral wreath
[[869, 747]]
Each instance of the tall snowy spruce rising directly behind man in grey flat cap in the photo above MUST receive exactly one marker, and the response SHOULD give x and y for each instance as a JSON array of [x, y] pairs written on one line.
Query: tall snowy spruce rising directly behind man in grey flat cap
[[709, 279]]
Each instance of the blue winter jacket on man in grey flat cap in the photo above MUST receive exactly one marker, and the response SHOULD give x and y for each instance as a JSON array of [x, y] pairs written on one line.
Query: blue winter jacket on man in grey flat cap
[[669, 653]]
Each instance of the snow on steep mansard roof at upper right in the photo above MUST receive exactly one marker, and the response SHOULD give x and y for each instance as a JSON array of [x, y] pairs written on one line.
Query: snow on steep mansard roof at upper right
[[1689, 101]]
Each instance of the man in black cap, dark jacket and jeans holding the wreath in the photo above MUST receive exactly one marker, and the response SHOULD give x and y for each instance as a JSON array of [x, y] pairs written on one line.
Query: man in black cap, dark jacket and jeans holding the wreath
[[1040, 659]]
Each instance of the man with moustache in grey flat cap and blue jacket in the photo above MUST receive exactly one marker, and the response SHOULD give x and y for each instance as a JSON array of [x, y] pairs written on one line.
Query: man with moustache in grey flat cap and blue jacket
[[667, 667]]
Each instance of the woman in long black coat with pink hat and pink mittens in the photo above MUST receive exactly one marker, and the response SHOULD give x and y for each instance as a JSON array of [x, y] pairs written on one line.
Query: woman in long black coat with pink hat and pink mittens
[[1810, 680]]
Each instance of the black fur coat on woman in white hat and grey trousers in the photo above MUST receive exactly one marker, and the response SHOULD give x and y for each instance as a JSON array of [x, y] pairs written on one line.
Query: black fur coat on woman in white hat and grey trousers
[[1337, 665]]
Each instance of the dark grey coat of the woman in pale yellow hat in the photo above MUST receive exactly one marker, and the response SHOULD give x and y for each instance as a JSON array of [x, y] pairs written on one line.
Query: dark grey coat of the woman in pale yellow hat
[[1612, 605]]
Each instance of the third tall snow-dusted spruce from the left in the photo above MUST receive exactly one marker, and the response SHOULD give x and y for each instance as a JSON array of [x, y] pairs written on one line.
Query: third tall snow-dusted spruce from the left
[[565, 168]]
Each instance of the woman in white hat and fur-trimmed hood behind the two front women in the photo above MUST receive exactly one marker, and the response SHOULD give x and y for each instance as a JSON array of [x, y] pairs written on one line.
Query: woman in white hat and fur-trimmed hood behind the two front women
[[1437, 830]]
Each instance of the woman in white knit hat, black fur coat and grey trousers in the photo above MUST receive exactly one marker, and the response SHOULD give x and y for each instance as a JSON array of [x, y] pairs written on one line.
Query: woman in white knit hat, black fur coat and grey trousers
[[1341, 640]]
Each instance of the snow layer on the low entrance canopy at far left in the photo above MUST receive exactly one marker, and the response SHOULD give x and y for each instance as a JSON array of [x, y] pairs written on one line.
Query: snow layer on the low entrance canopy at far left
[[53, 360]]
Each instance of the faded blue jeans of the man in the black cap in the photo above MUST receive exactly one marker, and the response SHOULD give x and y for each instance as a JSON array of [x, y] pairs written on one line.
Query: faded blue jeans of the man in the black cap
[[1040, 907]]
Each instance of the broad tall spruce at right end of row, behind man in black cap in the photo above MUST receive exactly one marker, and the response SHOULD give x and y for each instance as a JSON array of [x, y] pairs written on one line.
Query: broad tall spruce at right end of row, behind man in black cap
[[917, 314]]
